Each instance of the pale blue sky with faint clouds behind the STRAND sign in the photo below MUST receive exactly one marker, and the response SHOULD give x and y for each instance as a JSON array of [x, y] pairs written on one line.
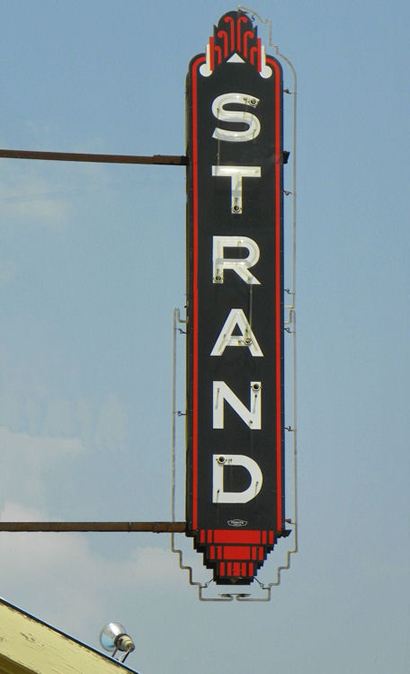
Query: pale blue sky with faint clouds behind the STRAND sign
[[91, 266]]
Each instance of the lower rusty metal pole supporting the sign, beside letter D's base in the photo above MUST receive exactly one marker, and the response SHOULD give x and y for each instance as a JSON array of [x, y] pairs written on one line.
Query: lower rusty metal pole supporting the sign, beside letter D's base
[[155, 527]]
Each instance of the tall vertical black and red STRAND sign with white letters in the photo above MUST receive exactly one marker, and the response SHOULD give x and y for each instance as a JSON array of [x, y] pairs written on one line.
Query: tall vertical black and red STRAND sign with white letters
[[235, 438]]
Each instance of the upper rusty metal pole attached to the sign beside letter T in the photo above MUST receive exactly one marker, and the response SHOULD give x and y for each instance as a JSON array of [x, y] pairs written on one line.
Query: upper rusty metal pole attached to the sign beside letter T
[[158, 159]]
